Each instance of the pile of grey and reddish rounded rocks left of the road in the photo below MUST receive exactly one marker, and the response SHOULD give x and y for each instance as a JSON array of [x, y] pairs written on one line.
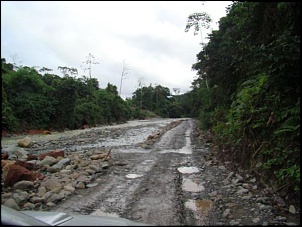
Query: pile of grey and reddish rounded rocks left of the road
[[31, 182]]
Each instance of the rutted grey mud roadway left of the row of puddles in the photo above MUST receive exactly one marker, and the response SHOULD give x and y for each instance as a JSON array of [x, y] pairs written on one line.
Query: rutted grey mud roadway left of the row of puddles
[[147, 188]]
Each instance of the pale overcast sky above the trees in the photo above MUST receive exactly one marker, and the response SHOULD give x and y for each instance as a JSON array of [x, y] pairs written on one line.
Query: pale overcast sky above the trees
[[148, 36]]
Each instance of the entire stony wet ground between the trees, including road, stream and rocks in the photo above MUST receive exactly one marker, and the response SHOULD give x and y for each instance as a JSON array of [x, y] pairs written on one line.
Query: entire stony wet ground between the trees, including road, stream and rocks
[[159, 172]]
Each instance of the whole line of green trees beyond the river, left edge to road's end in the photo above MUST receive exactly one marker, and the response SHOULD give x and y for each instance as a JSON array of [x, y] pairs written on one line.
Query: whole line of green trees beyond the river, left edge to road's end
[[33, 100]]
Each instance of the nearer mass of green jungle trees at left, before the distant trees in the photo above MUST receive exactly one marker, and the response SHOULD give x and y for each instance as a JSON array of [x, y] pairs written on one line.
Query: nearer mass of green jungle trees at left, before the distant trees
[[31, 100]]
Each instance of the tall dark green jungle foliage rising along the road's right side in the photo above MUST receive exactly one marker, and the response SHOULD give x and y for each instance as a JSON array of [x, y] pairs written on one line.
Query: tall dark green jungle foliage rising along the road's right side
[[248, 90]]
